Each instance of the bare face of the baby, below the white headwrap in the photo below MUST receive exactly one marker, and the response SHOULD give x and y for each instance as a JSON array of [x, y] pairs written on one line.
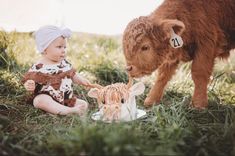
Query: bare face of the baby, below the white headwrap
[[56, 50]]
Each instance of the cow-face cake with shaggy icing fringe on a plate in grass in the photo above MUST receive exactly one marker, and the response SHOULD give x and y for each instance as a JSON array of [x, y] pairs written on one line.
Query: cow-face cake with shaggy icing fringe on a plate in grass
[[117, 102]]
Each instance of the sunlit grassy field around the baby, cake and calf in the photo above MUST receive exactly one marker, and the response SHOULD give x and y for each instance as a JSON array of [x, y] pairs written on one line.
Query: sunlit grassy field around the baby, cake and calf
[[171, 128]]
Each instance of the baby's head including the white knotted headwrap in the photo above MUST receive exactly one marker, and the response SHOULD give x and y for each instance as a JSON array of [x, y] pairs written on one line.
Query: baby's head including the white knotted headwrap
[[51, 41]]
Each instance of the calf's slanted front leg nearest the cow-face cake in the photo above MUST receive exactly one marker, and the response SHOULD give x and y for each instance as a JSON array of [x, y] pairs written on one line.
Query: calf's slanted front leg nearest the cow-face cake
[[165, 73]]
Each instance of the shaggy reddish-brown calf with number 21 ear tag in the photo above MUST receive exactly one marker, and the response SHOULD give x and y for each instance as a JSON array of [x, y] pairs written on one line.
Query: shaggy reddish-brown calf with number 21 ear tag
[[180, 31]]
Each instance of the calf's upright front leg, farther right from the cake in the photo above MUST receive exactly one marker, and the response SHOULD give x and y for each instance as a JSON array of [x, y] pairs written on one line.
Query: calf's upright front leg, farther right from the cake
[[201, 71]]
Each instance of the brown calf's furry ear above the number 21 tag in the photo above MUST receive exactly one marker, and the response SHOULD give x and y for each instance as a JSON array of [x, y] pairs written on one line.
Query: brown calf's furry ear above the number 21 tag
[[168, 25]]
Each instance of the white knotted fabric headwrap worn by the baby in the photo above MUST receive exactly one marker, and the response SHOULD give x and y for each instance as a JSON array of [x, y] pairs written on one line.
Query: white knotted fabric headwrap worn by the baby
[[47, 34]]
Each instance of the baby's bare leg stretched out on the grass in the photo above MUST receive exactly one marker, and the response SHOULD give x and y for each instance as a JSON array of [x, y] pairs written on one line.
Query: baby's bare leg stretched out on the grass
[[46, 103]]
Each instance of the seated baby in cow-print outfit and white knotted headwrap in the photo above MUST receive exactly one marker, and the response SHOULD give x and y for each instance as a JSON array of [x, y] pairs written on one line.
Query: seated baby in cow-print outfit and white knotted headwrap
[[50, 78]]
